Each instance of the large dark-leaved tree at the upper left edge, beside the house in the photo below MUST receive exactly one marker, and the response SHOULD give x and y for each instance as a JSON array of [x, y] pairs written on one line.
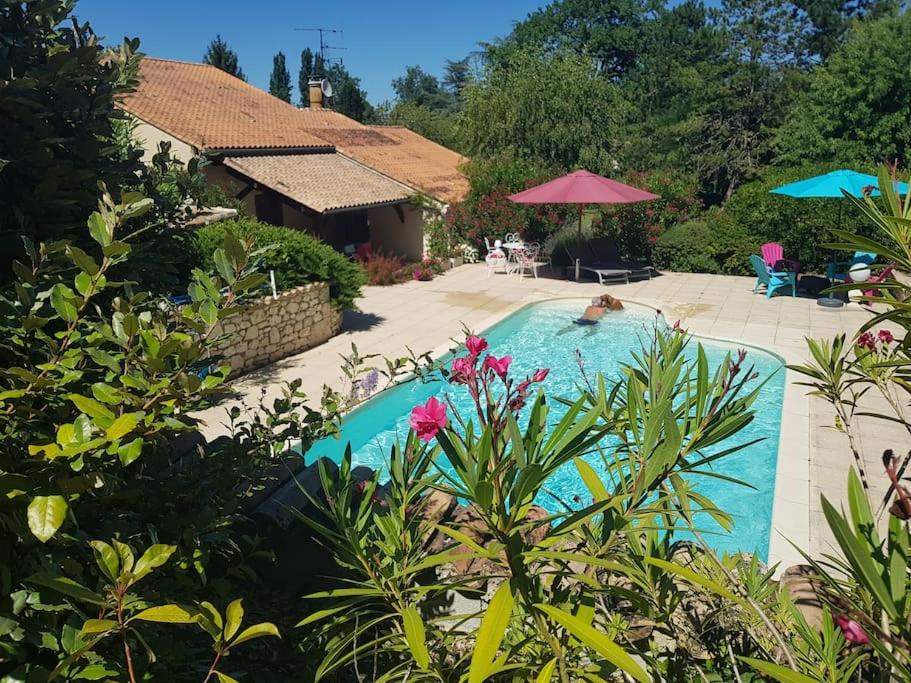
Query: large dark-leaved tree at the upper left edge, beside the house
[[58, 122]]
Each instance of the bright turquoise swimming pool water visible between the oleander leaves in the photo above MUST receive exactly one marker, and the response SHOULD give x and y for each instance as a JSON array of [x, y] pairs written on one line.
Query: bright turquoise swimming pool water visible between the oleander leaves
[[542, 335]]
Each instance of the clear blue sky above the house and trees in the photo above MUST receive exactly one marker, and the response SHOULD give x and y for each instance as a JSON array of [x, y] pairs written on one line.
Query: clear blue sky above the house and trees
[[381, 37]]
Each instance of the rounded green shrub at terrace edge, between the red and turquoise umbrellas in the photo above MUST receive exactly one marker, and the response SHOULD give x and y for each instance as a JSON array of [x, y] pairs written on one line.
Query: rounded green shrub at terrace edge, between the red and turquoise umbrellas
[[713, 244]]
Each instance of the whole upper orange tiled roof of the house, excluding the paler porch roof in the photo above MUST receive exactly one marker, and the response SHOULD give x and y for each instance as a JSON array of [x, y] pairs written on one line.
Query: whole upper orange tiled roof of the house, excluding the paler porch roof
[[212, 110]]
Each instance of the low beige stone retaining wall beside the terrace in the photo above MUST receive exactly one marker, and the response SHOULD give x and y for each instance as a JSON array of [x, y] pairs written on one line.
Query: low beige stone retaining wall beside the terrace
[[270, 329]]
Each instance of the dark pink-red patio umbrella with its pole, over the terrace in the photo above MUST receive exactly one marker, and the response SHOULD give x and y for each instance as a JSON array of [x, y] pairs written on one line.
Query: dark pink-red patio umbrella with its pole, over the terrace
[[582, 187]]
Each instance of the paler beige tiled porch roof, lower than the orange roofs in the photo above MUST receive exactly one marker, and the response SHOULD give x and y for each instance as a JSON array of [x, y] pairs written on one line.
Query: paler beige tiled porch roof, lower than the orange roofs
[[322, 182]]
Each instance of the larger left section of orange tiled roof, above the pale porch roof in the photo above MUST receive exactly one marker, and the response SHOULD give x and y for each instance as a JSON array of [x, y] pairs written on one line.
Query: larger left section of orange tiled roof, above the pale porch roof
[[210, 109]]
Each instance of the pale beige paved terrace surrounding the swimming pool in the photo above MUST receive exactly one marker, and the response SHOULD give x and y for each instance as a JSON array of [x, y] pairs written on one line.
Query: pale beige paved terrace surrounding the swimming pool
[[813, 457]]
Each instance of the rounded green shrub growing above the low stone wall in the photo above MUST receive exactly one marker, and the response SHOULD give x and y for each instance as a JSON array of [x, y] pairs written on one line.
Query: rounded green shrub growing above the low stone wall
[[296, 257]]
